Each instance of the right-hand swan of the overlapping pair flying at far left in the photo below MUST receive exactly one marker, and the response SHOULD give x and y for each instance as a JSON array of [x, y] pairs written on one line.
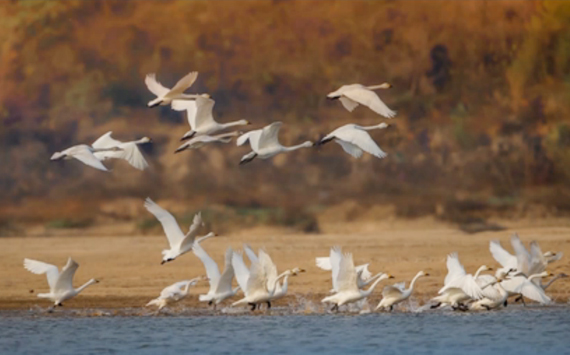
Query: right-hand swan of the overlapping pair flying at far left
[[129, 150]]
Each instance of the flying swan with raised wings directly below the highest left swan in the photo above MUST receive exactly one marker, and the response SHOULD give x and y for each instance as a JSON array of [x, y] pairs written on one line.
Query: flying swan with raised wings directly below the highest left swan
[[202, 121]]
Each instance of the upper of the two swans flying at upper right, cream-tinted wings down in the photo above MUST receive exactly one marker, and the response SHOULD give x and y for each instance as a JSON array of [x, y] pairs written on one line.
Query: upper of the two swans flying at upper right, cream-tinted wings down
[[352, 95]]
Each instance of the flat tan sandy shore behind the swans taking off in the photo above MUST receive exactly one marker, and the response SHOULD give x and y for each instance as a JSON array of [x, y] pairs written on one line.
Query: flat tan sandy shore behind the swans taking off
[[130, 272]]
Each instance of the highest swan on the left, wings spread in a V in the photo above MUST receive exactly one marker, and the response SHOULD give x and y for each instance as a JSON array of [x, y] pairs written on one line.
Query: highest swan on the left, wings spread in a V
[[165, 96]]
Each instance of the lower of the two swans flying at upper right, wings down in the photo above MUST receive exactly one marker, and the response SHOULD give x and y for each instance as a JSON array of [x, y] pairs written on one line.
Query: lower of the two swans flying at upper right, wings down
[[355, 140]]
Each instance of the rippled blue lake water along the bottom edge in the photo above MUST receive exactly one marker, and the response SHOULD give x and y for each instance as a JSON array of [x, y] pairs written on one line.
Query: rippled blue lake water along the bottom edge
[[519, 331]]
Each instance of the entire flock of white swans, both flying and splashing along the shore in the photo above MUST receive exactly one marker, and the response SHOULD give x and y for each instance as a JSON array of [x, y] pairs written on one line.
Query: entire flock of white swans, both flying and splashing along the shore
[[260, 283]]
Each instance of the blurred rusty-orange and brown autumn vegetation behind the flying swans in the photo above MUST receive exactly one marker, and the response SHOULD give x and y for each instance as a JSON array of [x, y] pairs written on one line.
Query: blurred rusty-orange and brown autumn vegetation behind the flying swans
[[482, 90]]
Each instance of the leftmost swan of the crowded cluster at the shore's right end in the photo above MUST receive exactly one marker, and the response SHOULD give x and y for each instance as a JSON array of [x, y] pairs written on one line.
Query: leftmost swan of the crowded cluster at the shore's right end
[[458, 280]]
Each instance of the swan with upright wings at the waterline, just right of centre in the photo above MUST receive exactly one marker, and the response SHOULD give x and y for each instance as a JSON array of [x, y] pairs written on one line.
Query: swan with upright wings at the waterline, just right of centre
[[348, 291]]
